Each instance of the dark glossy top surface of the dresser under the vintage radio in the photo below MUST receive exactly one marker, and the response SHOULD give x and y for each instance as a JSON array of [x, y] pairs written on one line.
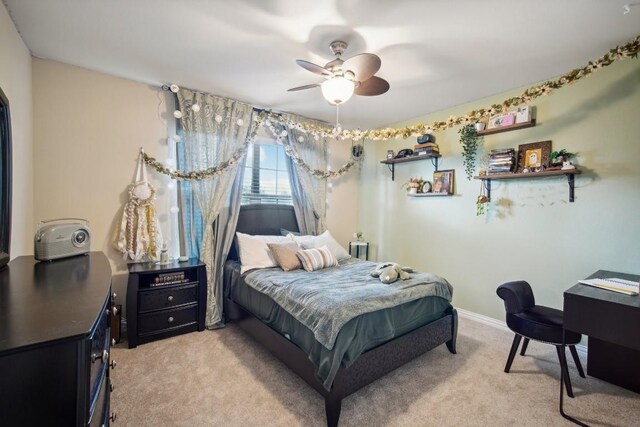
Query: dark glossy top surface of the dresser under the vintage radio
[[46, 301]]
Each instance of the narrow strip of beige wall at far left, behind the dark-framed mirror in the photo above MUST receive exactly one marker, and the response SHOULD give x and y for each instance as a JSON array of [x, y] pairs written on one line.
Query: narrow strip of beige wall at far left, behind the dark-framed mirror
[[15, 81]]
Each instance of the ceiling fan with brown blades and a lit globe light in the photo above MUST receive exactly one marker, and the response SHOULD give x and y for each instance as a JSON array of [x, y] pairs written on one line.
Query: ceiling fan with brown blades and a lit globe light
[[346, 77]]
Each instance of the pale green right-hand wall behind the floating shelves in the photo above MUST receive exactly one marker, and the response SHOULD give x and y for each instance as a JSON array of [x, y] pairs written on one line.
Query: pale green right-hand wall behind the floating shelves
[[531, 231]]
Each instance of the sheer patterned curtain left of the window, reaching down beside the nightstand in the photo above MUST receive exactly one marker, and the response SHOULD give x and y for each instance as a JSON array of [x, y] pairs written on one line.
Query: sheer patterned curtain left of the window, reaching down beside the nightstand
[[211, 135]]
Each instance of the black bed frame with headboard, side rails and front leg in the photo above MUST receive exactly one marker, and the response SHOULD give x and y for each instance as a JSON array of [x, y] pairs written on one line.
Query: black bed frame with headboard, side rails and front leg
[[370, 366]]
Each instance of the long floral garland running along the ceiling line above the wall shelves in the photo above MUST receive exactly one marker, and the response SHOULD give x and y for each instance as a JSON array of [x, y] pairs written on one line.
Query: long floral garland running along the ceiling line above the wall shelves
[[628, 50]]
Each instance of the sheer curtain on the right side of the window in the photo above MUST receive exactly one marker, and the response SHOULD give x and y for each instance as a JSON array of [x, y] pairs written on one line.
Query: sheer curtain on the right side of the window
[[309, 193]]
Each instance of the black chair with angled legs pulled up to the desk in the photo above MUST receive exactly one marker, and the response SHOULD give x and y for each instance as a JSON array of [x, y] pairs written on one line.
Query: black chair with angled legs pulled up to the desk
[[536, 322]]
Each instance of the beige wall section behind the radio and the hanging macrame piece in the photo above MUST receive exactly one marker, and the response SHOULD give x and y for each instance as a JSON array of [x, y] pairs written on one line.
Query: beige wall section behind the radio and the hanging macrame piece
[[88, 128]]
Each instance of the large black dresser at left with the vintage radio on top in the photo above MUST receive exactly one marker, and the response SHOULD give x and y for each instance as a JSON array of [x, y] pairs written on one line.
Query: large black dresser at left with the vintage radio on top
[[54, 342]]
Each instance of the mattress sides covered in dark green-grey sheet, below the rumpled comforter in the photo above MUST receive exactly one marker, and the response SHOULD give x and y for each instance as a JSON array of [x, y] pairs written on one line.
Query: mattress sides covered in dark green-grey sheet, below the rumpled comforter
[[358, 335]]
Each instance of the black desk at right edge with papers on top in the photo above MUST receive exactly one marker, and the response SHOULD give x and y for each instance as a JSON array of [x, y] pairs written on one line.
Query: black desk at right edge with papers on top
[[611, 320]]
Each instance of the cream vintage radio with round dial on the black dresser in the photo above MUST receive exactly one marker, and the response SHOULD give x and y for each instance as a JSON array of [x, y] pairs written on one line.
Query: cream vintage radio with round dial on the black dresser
[[61, 238]]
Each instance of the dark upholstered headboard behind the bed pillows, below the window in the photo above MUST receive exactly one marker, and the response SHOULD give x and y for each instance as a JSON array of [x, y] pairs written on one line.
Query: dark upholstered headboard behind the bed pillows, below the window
[[265, 220]]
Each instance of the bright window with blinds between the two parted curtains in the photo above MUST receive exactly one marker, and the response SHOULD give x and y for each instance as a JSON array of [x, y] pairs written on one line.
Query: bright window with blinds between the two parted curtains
[[266, 174]]
